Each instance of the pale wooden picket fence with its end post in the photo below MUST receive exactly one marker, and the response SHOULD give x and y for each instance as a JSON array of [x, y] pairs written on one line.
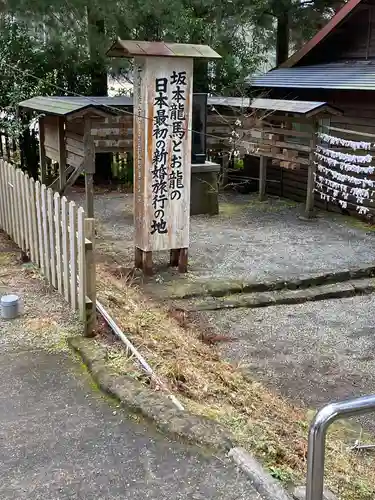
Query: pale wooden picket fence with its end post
[[55, 235]]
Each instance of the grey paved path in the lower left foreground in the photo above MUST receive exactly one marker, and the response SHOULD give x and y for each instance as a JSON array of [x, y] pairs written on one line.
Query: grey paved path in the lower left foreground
[[61, 439]]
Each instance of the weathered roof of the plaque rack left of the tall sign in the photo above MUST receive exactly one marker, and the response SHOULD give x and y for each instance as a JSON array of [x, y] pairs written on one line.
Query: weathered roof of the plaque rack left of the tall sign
[[65, 106]]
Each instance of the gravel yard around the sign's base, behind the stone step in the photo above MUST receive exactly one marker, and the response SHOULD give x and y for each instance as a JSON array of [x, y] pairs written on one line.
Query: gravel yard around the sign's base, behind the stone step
[[247, 241]]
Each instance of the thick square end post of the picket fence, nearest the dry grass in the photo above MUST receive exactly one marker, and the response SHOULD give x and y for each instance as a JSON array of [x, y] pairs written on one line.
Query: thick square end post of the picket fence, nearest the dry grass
[[90, 273]]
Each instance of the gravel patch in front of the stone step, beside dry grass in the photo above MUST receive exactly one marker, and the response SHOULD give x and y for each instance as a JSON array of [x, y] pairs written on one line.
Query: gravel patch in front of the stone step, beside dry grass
[[313, 353]]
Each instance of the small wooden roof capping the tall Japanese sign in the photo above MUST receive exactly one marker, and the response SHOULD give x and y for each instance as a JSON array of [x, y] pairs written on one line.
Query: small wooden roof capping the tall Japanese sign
[[132, 48]]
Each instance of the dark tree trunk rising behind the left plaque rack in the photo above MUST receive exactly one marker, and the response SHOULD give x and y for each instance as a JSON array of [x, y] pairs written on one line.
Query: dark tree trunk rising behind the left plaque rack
[[99, 87]]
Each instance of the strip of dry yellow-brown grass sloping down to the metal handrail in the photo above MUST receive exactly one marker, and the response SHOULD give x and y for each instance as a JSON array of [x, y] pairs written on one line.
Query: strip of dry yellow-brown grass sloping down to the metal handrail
[[262, 422]]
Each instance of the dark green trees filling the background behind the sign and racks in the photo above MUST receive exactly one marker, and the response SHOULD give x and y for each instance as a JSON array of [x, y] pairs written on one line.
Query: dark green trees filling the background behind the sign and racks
[[58, 47]]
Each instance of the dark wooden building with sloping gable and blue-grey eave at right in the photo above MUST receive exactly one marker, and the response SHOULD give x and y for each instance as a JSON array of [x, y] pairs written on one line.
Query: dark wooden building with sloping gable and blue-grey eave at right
[[337, 67]]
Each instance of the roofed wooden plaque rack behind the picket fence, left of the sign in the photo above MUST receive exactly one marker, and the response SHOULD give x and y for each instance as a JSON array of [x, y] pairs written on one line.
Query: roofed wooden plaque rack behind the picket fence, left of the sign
[[73, 129]]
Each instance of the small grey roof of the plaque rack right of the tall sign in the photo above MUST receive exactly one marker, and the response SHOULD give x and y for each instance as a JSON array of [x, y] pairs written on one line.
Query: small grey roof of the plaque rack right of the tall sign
[[306, 108]]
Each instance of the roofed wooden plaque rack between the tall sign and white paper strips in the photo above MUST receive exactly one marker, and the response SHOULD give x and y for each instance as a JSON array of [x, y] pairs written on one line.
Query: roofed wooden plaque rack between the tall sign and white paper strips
[[284, 133]]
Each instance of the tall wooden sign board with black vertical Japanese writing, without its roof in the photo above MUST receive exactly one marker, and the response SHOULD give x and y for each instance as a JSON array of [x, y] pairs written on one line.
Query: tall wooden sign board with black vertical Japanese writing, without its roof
[[162, 152]]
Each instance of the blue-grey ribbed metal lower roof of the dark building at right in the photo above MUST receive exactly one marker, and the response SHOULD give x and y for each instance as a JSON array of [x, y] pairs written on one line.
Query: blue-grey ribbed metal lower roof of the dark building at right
[[351, 75]]
